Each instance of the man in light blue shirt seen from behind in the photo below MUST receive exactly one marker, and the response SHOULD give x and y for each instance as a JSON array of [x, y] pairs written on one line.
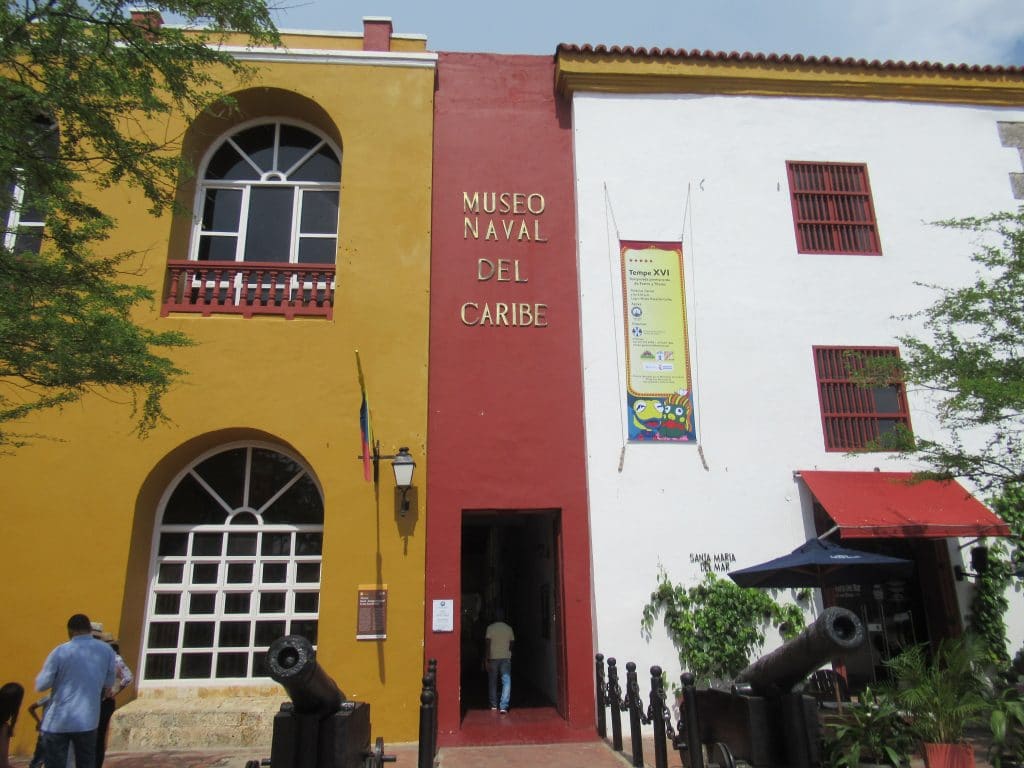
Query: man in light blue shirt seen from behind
[[80, 674]]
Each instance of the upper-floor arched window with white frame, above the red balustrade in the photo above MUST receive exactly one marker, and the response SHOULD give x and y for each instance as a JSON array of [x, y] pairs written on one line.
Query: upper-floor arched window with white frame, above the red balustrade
[[270, 194]]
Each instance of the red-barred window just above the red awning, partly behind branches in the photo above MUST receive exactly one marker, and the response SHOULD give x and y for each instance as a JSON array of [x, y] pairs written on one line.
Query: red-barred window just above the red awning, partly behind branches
[[856, 417]]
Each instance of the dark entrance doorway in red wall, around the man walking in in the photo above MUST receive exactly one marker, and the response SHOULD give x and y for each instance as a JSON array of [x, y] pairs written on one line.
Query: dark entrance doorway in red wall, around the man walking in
[[510, 561]]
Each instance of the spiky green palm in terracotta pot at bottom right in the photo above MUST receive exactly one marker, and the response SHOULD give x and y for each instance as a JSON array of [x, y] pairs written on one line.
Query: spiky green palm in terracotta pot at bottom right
[[943, 697]]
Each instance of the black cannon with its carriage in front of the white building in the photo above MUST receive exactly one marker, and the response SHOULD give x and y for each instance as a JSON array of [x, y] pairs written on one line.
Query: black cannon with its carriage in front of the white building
[[765, 720]]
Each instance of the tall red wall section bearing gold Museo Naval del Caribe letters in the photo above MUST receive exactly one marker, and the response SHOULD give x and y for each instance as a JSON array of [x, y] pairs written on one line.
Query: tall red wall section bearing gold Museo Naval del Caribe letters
[[505, 429]]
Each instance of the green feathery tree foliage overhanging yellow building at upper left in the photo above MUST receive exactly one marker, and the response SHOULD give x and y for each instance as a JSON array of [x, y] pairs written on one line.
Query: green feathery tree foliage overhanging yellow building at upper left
[[87, 93]]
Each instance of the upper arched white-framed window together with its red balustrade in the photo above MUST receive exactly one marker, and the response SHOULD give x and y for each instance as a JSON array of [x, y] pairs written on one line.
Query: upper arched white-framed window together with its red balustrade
[[265, 239]]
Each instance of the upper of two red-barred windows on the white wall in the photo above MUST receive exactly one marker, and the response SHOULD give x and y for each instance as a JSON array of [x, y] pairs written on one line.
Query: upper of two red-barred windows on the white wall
[[833, 209]]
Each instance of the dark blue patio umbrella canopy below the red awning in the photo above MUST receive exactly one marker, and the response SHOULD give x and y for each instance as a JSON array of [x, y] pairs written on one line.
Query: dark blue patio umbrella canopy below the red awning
[[821, 564]]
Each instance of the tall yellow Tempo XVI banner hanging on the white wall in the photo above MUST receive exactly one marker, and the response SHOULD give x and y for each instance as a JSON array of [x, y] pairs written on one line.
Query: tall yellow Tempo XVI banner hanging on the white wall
[[659, 391]]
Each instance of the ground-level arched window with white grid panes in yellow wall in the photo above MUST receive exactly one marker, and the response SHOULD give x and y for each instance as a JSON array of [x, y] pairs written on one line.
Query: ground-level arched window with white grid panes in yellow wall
[[237, 565]]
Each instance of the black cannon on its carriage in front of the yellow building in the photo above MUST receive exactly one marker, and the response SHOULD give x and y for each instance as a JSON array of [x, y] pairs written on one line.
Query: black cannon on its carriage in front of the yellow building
[[318, 728]]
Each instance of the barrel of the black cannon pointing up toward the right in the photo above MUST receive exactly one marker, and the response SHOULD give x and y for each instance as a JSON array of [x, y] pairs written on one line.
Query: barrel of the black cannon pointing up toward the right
[[836, 633]]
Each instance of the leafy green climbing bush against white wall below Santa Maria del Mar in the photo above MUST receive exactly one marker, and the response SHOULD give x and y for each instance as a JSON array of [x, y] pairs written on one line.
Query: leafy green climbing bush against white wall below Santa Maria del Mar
[[717, 626]]
